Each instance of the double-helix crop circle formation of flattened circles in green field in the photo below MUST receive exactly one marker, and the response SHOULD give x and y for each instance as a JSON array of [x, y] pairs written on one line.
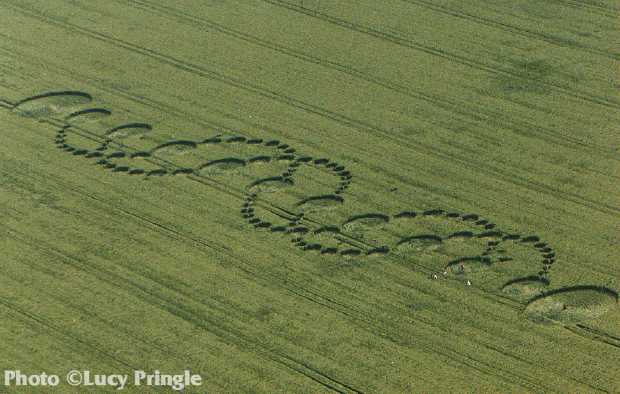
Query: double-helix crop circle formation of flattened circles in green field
[[287, 194]]
